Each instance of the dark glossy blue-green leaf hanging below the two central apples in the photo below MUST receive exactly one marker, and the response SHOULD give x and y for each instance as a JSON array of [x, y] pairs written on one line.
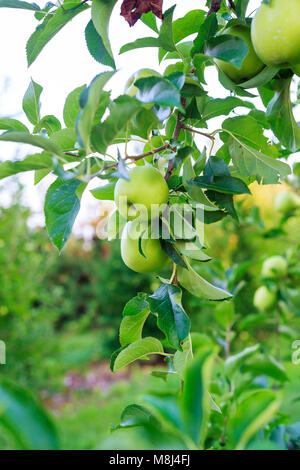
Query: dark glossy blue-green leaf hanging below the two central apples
[[172, 319]]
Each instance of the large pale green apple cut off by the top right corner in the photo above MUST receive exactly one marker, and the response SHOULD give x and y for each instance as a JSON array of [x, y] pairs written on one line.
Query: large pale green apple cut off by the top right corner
[[275, 32]]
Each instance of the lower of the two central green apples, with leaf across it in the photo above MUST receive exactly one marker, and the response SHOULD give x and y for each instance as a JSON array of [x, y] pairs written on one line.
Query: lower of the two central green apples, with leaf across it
[[137, 234]]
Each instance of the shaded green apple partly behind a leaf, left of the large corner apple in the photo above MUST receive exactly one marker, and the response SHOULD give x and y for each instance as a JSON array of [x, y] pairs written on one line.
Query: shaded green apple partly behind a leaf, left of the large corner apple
[[251, 65]]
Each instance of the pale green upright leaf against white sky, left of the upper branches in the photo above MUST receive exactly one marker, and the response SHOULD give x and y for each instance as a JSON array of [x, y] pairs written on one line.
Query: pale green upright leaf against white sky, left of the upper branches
[[90, 105]]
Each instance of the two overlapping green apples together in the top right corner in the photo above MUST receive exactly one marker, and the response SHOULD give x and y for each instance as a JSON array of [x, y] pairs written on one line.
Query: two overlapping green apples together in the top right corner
[[273, 40]]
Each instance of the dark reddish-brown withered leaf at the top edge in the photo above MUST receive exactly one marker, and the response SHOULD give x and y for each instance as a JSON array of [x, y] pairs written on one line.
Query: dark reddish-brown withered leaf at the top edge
[[132, 10]]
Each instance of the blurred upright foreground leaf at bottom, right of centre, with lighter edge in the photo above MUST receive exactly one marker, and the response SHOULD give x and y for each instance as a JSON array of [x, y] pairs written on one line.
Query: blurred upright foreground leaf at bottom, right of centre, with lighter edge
[[195, 401]]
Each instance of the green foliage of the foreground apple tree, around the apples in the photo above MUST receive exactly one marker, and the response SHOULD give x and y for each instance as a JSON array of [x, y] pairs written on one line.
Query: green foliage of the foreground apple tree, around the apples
[[175, 107]]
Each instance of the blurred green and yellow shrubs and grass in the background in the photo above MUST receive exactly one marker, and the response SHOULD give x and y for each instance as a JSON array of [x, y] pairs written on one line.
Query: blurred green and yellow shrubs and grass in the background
[[59, 315]]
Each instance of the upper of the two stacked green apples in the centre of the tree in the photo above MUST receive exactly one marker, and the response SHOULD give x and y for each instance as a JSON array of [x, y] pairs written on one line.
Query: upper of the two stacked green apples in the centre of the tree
[[135, 198]]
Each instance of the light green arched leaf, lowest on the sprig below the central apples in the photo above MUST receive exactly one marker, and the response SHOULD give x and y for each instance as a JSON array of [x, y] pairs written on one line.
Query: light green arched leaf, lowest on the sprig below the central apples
[[137, 350]]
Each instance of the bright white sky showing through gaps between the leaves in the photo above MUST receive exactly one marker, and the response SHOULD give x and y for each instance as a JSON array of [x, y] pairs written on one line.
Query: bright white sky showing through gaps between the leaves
[[63, 65]]
